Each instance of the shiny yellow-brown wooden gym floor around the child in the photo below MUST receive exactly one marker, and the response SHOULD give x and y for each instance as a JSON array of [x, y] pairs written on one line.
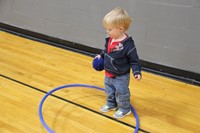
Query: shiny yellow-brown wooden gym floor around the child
[[29, 69]]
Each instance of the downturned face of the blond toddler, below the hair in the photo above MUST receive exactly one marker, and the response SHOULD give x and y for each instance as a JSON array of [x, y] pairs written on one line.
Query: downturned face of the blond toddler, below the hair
[[115, 32]]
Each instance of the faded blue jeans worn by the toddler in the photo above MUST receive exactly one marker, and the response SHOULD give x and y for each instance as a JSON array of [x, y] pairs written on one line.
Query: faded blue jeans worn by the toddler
[[118, 93]]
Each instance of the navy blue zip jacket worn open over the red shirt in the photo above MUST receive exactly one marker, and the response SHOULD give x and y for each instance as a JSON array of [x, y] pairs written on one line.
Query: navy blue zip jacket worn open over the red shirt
[[122, 58]]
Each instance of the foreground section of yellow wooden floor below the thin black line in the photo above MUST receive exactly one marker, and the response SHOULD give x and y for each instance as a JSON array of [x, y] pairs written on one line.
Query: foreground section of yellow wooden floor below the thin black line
[[19, 113]]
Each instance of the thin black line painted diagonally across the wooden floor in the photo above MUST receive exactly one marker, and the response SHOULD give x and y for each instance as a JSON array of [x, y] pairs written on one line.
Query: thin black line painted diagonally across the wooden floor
[[81, 106]]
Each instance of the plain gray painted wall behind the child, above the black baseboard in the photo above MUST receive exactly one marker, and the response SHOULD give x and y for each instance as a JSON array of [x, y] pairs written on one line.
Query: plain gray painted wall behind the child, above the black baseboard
[[166, 32]]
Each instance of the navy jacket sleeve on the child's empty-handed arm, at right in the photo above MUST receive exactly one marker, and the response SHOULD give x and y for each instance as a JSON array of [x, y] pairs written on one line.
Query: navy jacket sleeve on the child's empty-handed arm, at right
[[134, 61]]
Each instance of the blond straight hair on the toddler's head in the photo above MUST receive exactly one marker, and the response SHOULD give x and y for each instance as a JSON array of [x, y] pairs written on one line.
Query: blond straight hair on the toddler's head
[[117, 18]]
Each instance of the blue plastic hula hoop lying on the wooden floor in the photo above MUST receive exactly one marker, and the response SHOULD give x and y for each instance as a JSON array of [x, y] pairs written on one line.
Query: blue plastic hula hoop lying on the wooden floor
[[76, 85]]
